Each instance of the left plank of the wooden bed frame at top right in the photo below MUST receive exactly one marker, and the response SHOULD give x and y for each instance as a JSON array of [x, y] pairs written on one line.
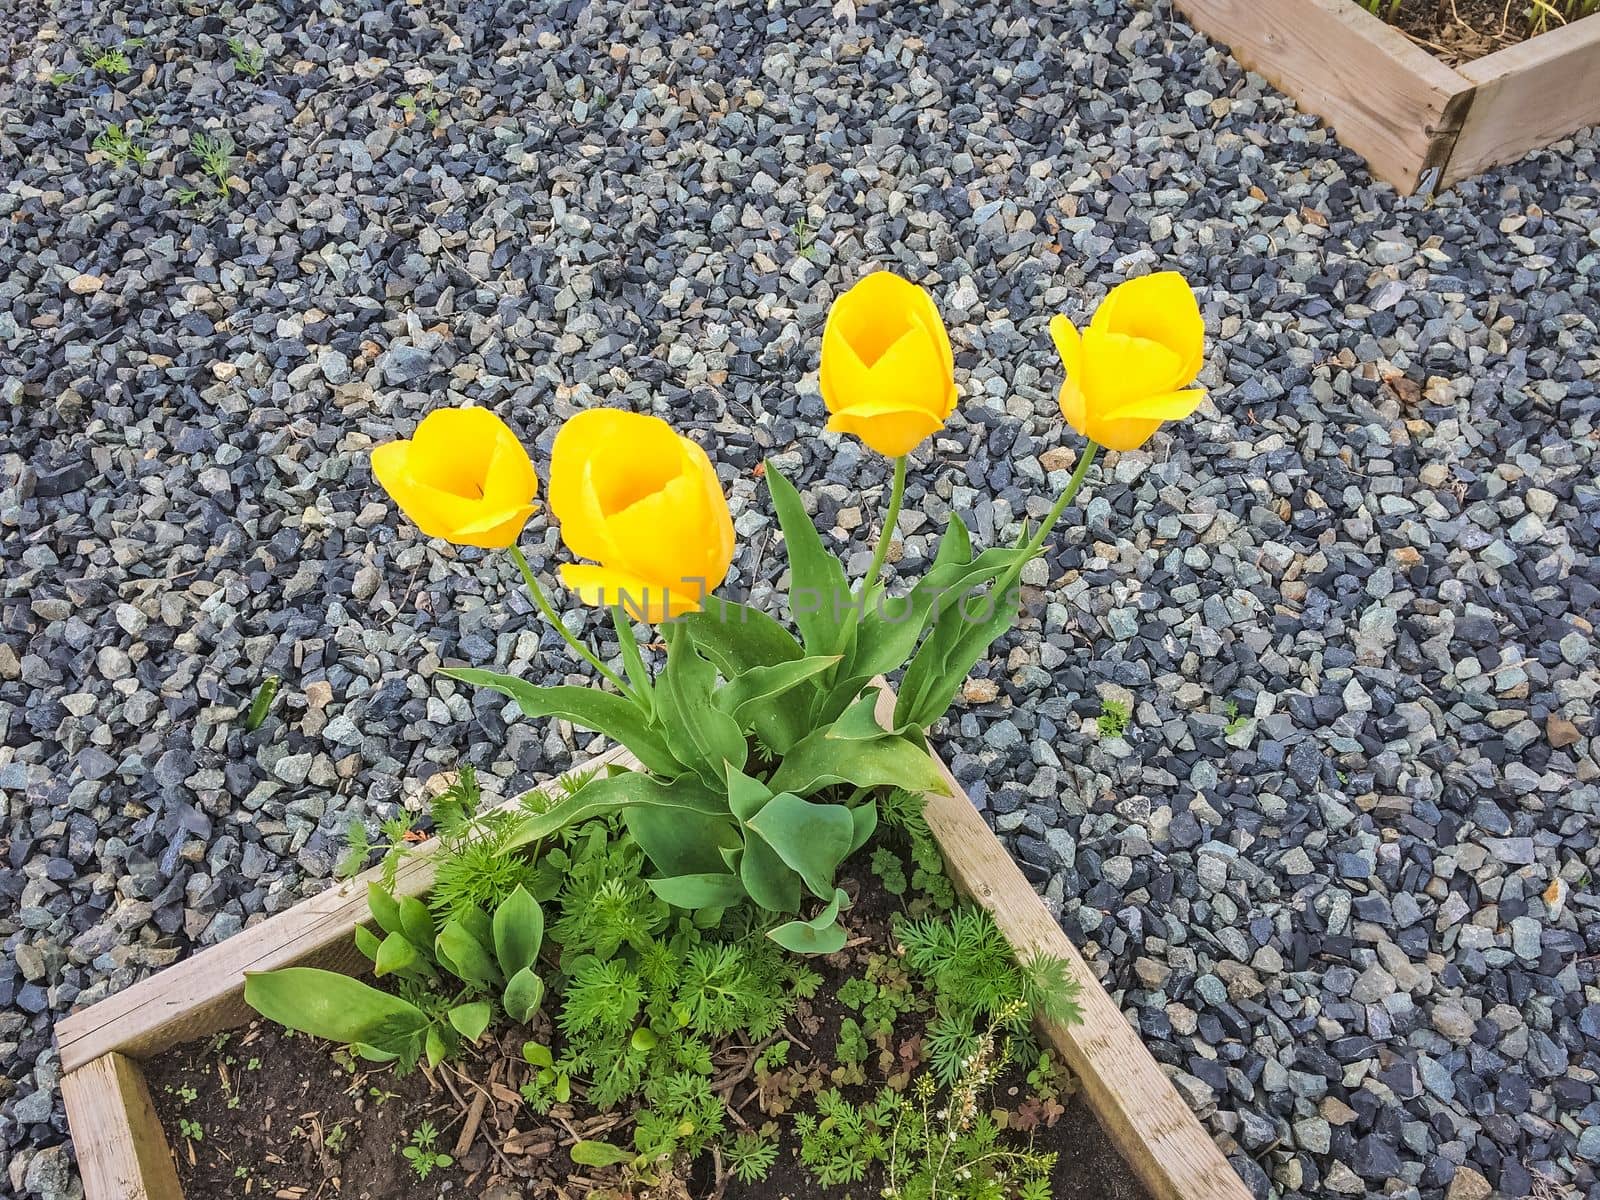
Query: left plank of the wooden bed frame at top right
[[1385, 97]]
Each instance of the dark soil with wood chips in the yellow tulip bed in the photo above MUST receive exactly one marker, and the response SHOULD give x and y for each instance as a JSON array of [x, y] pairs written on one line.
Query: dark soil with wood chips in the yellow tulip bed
[[268, 1130]]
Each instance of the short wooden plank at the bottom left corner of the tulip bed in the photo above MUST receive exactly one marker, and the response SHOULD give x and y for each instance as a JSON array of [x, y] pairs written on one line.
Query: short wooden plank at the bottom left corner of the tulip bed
[[122, 1150]]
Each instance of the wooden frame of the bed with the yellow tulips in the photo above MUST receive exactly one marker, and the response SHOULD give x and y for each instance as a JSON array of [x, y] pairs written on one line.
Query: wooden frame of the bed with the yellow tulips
[[124, 1153]]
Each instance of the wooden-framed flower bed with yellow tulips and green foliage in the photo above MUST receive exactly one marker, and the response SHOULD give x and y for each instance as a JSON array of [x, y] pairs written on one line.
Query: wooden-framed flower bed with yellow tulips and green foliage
[[735, 954]]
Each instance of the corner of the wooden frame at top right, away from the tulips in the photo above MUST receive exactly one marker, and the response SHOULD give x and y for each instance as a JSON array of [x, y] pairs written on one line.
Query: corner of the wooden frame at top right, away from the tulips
[[1420, 124]]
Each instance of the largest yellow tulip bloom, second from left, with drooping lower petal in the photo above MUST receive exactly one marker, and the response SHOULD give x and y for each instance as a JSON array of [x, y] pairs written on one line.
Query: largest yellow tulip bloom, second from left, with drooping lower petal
[[644, 503]]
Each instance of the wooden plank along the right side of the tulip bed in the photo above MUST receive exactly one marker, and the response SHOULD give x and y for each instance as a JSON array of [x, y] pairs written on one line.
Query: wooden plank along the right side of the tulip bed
[[1150, 1124]]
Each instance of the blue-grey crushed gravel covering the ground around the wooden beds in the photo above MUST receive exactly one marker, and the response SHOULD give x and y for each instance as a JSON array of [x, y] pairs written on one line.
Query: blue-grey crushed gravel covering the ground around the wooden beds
[[1338, 868]]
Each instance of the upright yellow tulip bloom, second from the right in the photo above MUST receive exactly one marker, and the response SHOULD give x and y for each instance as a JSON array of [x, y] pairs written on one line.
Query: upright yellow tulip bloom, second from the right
[[887, 372]]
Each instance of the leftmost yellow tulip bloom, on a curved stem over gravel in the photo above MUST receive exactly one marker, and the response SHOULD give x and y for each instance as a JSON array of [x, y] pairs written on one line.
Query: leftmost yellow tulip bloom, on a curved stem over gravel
[[463, 476]]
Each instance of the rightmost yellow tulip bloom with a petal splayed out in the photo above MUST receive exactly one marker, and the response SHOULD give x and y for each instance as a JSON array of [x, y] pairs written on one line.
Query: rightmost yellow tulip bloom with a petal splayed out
[[1124, 374]]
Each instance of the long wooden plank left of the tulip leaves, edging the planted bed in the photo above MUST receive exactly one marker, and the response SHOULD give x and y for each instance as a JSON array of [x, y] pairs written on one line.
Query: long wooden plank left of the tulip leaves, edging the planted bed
[[206, 993]]
